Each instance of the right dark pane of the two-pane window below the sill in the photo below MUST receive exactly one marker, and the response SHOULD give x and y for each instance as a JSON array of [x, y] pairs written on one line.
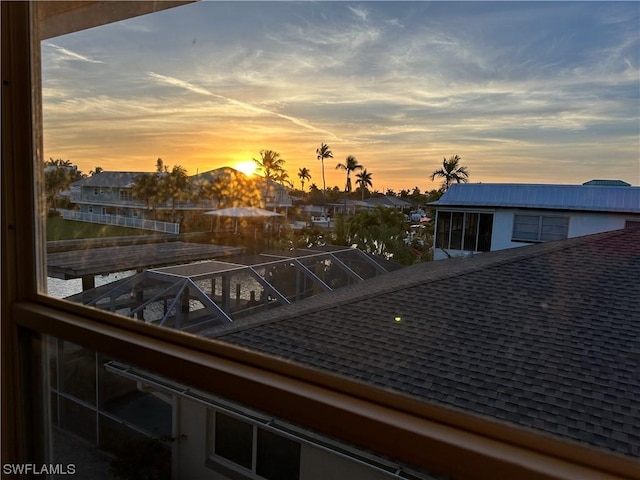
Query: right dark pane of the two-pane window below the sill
[[278, 458]]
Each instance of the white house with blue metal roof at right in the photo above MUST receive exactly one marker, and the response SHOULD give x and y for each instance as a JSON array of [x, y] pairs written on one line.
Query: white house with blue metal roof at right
[[480, 217]]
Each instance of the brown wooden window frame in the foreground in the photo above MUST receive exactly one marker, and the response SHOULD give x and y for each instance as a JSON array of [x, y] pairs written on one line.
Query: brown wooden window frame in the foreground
[[431, 437]]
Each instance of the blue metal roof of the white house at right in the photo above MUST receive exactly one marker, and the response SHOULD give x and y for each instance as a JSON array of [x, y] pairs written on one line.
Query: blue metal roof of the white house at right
[[598, 197]]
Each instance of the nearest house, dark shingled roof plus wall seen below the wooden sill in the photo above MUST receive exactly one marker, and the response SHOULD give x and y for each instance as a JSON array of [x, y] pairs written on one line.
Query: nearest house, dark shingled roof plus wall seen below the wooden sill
[[516, 336]]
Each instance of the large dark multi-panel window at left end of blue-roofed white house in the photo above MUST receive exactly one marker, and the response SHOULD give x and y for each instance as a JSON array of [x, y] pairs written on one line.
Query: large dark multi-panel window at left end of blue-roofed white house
[[464, 231]]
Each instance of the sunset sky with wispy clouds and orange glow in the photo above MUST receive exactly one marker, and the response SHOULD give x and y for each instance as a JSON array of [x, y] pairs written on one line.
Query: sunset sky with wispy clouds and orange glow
[[541, 92]]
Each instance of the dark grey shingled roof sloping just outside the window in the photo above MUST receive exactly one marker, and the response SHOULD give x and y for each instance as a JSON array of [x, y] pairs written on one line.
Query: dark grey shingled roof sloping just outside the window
[[544, 336]]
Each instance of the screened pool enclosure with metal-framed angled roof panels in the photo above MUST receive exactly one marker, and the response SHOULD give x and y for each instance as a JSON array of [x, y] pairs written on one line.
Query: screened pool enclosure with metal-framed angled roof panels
[[199, 296]]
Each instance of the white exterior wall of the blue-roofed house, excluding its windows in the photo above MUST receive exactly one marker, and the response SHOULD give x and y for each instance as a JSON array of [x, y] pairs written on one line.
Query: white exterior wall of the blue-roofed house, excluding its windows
[[580, 223]]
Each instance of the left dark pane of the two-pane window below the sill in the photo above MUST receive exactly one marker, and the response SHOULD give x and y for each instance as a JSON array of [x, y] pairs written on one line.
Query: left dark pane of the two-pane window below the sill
[[234, 440]]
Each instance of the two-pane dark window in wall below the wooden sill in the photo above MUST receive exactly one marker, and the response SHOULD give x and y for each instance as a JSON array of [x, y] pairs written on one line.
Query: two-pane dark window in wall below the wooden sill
[[265, 453]]
